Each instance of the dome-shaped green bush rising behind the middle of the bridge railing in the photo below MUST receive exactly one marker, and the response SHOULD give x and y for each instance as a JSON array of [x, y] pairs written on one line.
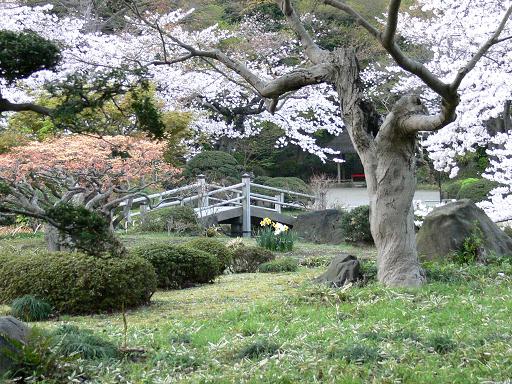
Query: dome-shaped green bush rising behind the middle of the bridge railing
[[215, 165]]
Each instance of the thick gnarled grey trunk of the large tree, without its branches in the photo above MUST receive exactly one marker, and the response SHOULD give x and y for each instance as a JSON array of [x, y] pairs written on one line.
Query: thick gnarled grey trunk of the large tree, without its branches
[[388, 157]]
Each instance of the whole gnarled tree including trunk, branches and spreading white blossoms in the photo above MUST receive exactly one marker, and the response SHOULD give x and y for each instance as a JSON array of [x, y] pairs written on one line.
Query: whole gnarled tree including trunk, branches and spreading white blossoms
[[191, 66]]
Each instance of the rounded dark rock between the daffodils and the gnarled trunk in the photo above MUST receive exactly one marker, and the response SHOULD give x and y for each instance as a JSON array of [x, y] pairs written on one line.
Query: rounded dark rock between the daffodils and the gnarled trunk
[[320, 226]]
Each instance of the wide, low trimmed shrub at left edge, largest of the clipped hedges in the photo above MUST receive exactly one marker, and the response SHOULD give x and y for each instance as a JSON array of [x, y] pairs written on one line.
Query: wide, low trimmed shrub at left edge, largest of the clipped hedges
[[76, 283]]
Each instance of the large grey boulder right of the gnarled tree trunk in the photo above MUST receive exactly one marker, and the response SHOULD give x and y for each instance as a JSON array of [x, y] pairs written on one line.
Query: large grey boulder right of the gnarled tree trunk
[[445, 229]]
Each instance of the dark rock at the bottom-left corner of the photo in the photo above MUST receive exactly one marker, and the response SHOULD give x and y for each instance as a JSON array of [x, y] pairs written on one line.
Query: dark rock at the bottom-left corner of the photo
[[11, 329]]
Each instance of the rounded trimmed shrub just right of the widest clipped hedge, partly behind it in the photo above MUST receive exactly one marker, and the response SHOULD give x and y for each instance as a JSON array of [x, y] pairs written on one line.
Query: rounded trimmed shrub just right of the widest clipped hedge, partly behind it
[[178, 266]]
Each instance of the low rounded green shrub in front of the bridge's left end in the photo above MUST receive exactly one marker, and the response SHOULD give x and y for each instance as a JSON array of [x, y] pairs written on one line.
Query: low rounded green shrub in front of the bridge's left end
[[172, 219]]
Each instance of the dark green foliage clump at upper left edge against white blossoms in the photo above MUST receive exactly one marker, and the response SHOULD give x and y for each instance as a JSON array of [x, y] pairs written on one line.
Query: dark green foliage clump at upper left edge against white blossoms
[[23, 53]]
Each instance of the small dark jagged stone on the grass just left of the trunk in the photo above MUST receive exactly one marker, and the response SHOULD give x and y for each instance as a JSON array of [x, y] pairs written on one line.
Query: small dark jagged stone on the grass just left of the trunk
[[343, 269]]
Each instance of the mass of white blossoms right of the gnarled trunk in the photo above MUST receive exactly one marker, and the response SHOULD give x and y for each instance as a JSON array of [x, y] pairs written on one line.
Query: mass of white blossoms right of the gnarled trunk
[[455, 33]]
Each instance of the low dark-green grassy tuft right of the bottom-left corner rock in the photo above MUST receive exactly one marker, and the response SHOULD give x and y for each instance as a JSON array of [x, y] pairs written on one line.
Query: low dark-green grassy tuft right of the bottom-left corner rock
[[70, 340]]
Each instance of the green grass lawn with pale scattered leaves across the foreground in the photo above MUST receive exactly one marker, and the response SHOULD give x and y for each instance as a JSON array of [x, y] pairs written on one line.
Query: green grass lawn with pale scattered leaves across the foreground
[[279, 328]]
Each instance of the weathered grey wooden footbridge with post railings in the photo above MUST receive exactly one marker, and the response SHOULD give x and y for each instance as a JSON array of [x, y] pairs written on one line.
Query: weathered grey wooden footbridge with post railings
[[240, 204]]
